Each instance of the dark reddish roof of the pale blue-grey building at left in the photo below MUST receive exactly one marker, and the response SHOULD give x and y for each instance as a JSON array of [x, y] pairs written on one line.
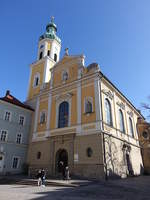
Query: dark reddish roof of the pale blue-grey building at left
[[11, 99]]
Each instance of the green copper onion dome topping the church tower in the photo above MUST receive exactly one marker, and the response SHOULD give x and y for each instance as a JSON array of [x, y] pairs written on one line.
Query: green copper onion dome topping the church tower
[[51, 30]]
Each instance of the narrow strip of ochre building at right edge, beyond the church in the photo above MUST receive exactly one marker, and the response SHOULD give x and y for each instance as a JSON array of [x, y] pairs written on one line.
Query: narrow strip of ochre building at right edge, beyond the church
[[144, 138]]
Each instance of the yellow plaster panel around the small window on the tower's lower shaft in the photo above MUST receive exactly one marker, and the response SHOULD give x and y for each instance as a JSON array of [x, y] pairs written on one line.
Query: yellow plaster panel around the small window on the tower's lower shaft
[[36, 69]]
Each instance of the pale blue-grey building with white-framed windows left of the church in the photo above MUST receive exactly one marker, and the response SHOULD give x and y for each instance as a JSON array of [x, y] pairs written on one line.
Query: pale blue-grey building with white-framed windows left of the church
[[15, 120]]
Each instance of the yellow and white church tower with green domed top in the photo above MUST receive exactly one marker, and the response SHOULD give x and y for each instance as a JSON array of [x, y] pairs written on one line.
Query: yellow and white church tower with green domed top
[[49, 46]]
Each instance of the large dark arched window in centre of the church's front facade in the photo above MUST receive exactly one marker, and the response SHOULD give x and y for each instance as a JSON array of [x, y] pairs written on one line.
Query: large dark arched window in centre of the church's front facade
[[63, 114]]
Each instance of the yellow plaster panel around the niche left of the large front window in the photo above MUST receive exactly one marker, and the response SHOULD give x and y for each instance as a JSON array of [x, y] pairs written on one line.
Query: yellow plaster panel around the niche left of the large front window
[[43, 106]]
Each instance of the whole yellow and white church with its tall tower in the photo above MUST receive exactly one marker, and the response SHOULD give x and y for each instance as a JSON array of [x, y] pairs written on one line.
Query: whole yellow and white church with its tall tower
[[81, 118]]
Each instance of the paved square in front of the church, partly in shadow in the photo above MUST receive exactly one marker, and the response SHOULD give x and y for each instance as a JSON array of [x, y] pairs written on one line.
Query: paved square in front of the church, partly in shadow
[[137, 188]]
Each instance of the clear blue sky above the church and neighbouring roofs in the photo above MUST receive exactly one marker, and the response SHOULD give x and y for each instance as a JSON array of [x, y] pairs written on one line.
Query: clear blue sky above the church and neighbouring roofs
[[113, 33]]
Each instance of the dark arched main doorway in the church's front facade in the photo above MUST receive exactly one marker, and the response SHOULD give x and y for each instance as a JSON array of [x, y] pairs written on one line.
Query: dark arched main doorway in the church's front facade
[[61, 156]]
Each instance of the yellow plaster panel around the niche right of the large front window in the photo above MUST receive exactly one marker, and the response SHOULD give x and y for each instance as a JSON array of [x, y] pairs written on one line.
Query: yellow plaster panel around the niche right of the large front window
[[88, 91]]
